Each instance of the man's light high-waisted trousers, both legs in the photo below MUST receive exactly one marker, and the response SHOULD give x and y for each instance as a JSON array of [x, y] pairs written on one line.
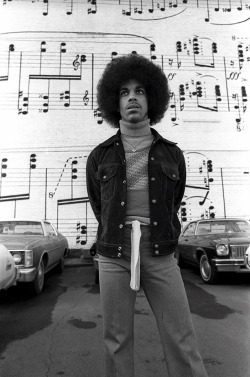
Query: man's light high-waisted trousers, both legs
[[163, 286]]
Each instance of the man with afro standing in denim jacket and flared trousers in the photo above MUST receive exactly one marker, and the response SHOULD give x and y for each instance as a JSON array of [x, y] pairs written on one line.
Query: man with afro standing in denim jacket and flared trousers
[[135, 183]]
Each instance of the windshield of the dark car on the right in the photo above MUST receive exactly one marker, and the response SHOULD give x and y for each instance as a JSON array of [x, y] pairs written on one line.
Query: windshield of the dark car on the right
[[225, 226]]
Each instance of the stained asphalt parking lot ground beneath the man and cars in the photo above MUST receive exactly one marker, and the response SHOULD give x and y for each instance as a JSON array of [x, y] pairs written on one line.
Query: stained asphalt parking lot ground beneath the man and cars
[[59, 333]]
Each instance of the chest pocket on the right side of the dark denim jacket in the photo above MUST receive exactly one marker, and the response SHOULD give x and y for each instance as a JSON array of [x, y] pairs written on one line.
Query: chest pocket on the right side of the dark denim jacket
[[171, 177]]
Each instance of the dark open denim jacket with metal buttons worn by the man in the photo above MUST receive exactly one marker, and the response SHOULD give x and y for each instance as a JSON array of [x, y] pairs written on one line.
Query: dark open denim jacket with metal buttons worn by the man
[[107, 191]]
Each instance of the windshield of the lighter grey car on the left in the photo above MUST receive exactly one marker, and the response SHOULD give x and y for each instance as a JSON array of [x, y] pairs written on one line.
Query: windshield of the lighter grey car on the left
[[21, 228]]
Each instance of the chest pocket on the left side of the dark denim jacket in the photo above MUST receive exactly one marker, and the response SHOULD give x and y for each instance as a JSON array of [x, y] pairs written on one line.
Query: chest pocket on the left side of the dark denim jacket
[[106, 175]]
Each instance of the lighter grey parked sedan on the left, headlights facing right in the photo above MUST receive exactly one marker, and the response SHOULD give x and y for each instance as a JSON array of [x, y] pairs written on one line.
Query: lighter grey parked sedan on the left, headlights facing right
[[36, 247]]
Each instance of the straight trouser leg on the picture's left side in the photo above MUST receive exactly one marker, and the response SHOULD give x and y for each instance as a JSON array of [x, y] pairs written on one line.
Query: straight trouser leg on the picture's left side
[[118, 303]]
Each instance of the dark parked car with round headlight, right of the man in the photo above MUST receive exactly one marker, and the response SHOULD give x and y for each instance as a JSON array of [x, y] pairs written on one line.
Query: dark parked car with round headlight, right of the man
[[215, 245]]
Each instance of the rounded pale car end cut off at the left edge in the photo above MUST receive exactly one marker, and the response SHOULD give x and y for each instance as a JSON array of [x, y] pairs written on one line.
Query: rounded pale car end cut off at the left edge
[[8, 270]]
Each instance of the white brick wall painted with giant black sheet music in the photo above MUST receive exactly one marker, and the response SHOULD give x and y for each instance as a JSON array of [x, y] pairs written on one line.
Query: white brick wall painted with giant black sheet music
[[52, 54]]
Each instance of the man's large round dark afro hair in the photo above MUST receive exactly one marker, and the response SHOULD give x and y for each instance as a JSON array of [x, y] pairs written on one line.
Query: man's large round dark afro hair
[[137, 67]]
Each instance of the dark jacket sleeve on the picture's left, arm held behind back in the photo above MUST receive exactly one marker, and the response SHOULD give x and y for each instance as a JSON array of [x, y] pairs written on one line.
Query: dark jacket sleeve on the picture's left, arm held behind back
[[93, 186]]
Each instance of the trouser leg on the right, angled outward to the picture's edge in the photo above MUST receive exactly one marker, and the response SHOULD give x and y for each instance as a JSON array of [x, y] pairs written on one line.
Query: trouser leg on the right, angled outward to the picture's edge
[[166, 294]]
